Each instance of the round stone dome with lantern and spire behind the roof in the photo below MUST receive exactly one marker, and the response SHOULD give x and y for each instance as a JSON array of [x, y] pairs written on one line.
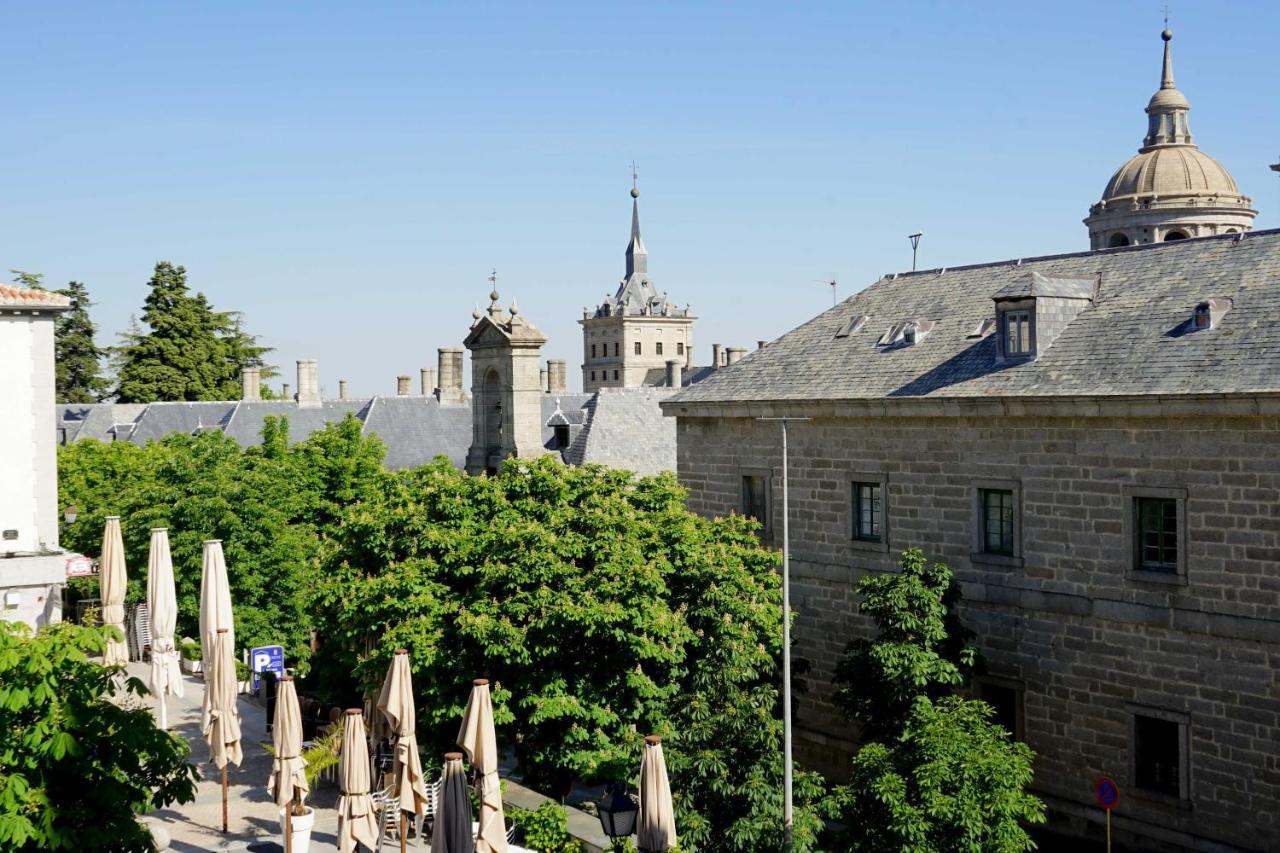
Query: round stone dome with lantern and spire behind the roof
[[1171, 190]]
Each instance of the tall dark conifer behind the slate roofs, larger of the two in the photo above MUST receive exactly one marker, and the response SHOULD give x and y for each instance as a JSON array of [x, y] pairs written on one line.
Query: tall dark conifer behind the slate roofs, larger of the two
[[190, 352]]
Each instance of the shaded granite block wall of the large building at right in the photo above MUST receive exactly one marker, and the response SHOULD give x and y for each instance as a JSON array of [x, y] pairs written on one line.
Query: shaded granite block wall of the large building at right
[[1089, 641]]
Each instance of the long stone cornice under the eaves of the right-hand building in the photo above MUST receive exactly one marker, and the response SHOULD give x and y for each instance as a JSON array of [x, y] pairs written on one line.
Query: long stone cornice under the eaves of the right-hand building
[[1227, 405]]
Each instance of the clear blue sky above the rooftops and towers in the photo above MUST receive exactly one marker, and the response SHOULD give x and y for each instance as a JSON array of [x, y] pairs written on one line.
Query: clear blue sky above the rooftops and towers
[[348, 175]]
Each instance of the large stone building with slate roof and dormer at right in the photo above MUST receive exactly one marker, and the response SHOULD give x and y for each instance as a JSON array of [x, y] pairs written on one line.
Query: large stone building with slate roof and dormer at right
[[1092, 443]]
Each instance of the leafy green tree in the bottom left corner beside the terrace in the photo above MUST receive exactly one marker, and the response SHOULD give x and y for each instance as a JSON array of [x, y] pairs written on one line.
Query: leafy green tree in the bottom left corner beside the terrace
[[77, 764]]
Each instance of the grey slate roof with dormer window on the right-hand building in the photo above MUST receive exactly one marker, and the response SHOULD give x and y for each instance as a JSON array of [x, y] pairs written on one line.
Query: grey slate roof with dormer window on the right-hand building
[[1132, 341]]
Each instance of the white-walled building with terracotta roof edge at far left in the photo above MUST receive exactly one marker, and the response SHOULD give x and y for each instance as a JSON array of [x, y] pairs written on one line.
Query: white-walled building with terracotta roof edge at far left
[[33, 565]]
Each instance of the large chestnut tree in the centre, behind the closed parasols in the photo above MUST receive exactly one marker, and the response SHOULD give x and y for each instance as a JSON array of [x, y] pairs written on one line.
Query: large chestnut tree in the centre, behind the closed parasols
[[601, 610]]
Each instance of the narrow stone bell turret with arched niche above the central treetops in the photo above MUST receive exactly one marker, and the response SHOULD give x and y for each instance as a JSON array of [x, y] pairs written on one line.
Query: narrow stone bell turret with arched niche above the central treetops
[[506, 387]]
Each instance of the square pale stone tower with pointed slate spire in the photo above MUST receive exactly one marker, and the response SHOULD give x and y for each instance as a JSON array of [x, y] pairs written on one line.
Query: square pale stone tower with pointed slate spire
[[630, 337]]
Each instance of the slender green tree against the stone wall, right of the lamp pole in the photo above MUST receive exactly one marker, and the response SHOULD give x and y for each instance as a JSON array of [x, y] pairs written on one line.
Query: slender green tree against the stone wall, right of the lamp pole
[[935, 773]]
